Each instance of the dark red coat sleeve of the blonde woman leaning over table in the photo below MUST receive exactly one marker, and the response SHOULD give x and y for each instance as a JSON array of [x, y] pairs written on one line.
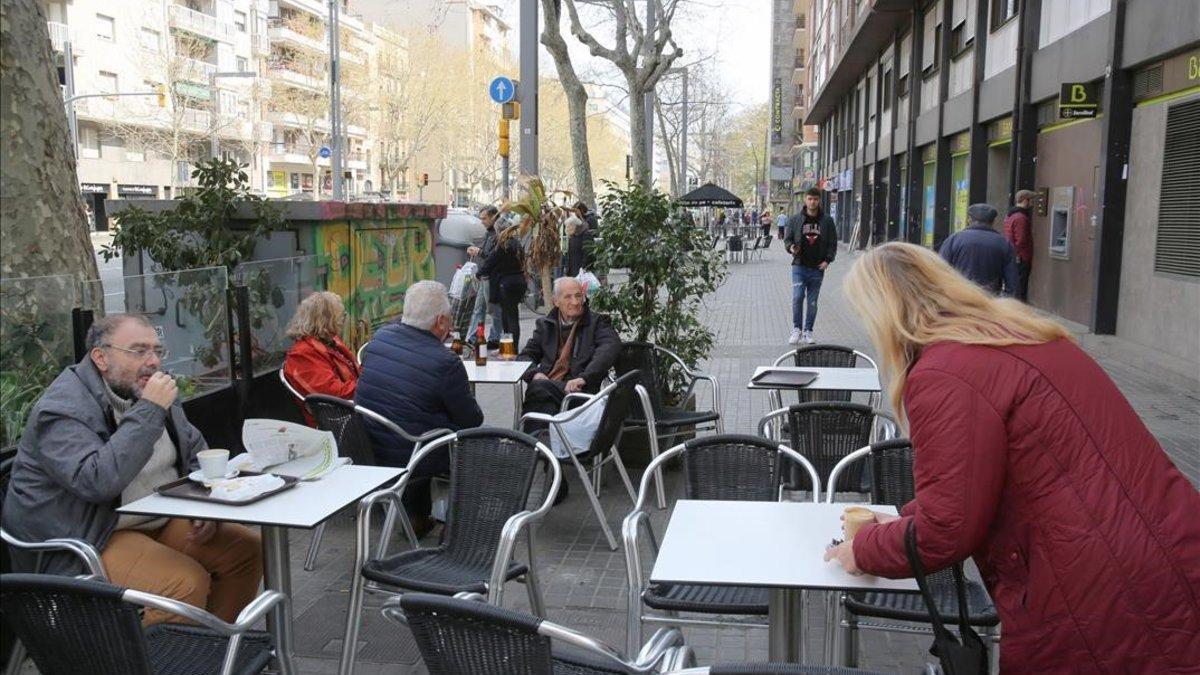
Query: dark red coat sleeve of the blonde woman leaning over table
[[961, 446]]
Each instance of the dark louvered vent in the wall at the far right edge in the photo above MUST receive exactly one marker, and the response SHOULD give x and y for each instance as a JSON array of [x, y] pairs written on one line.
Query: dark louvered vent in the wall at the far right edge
[[1179, 234]]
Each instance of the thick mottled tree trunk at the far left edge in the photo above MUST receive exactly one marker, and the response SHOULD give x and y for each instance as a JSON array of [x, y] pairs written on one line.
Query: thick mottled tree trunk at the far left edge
[[44, 230]]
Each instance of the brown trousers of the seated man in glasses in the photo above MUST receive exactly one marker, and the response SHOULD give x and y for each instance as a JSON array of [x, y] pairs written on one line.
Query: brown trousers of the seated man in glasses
[[220, 576]]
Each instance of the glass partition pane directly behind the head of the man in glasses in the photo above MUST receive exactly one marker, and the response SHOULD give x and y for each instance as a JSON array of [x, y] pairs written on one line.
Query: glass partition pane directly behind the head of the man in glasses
[[190, 312]]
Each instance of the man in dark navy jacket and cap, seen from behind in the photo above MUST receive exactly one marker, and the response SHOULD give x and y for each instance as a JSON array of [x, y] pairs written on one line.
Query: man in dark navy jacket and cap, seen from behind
[[981, 254]]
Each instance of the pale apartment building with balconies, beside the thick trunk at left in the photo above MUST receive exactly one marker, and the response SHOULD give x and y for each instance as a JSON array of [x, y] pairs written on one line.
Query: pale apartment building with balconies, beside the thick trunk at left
[[133, 147]]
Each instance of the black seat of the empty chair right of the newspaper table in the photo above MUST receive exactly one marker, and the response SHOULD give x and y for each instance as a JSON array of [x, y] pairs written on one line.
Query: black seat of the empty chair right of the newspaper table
[[433, 571]]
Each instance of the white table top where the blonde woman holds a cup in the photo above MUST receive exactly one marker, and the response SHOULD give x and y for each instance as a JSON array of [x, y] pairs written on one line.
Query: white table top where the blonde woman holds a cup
[[775, 545]]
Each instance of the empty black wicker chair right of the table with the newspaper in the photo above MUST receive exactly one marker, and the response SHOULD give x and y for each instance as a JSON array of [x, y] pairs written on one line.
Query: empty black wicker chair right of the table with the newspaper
[[491, 477]]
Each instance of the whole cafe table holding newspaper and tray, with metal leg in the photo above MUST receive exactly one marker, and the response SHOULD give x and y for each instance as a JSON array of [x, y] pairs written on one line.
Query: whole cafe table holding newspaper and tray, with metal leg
[[305, 506]]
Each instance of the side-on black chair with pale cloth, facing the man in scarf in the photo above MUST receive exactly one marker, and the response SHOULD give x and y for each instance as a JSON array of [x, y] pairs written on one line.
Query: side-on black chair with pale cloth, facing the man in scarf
[[602, 447]]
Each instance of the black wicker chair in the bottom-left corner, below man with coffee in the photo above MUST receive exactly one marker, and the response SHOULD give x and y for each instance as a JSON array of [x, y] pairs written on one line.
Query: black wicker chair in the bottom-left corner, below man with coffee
[[91, 626]]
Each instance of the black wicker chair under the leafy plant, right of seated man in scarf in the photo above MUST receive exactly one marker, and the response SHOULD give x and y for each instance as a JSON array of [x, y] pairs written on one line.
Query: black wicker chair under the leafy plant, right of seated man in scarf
[[657, 419]]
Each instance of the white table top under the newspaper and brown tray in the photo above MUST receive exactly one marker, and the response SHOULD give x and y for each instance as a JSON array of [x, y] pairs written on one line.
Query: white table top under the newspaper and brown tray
[[304, 506]]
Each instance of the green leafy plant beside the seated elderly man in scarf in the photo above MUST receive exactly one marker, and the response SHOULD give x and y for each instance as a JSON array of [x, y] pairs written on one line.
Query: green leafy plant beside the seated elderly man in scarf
[[671, 270]]
